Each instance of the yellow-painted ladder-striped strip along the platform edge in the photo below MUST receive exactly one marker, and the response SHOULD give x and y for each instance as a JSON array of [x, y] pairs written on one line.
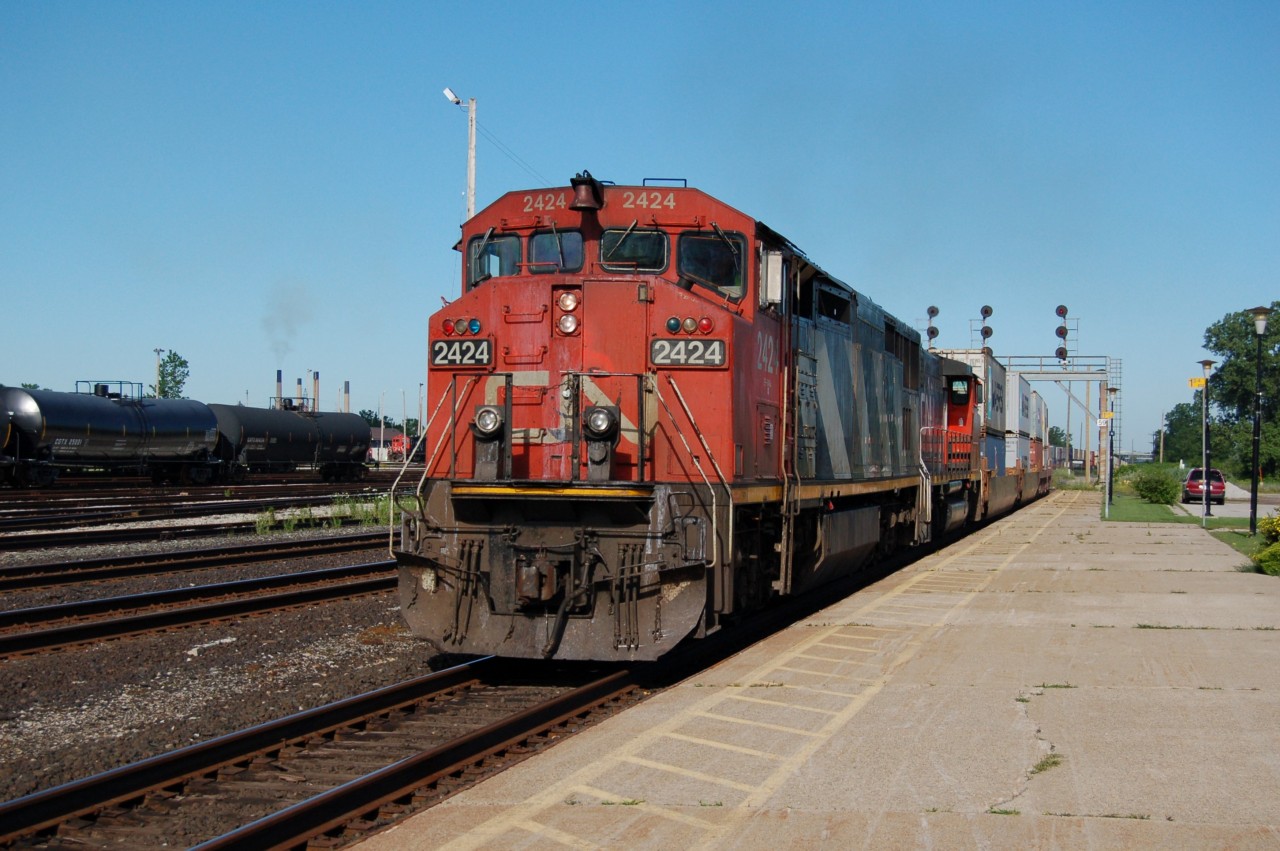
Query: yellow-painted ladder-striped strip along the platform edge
[[735, 748]]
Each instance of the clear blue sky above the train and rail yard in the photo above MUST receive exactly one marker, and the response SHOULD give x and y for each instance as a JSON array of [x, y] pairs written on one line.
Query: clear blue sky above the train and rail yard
[[280, 186]]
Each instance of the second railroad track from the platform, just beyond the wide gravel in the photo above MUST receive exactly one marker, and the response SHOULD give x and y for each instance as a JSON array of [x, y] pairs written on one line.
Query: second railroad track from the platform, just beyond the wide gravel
[[52, 628]]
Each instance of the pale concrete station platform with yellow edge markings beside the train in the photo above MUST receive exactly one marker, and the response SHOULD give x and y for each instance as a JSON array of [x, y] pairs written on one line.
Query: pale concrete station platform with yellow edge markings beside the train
[[1050, 683]]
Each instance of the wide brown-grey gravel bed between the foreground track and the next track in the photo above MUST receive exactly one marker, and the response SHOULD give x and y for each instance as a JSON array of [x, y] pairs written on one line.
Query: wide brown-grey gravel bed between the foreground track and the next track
[[70, 715]]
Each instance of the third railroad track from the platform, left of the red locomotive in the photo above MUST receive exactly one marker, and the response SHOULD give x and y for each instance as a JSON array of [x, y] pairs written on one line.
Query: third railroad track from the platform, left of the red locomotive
[[28, 578]]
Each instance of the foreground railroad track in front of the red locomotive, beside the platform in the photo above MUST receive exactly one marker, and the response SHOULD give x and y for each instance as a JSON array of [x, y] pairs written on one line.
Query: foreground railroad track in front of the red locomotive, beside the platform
[[349, 767]]
